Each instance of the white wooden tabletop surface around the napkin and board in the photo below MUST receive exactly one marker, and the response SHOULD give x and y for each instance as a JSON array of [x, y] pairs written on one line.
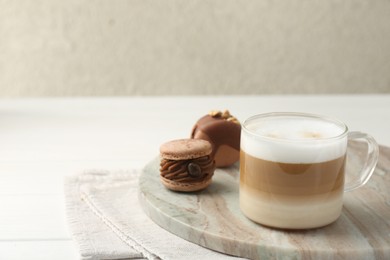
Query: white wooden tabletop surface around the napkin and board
[[43, 140]]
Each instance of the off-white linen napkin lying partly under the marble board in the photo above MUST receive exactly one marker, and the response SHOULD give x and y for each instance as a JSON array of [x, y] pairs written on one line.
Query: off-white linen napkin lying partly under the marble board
[[107, 222]]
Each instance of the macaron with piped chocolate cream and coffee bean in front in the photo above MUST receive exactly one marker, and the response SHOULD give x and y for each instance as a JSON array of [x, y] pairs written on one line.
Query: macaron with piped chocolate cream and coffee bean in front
[[186, 164]]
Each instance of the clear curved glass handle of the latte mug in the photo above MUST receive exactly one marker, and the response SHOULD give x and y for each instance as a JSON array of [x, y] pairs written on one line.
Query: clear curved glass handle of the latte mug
[[370, 163]]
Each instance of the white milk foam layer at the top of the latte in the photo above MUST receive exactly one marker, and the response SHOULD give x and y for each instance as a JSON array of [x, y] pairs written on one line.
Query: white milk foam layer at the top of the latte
[[293, 140]]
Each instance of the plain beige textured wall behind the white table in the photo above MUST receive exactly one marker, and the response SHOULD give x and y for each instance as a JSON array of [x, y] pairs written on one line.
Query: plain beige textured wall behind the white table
[[143, 47]]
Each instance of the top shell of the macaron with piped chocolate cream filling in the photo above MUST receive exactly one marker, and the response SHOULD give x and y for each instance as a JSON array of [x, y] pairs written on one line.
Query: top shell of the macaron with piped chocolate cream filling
[[184, 149]]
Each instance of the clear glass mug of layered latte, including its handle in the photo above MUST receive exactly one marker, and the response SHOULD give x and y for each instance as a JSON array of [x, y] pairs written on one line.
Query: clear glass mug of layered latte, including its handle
[[292, 169]]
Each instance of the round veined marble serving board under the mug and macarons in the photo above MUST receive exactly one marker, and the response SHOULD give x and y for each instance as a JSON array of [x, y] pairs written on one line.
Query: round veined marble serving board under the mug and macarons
[[212, 218]]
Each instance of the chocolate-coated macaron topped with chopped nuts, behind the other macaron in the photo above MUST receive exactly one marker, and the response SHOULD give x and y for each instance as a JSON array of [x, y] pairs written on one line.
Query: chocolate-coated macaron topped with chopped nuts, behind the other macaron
[[223, 131]]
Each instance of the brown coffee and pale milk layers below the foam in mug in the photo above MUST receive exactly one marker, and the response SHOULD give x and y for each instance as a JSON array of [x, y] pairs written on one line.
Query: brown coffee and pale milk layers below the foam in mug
[[291, 195]]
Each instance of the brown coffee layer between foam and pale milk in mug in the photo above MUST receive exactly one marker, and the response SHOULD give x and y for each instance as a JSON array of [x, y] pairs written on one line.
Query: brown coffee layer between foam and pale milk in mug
[[291, 179]]
